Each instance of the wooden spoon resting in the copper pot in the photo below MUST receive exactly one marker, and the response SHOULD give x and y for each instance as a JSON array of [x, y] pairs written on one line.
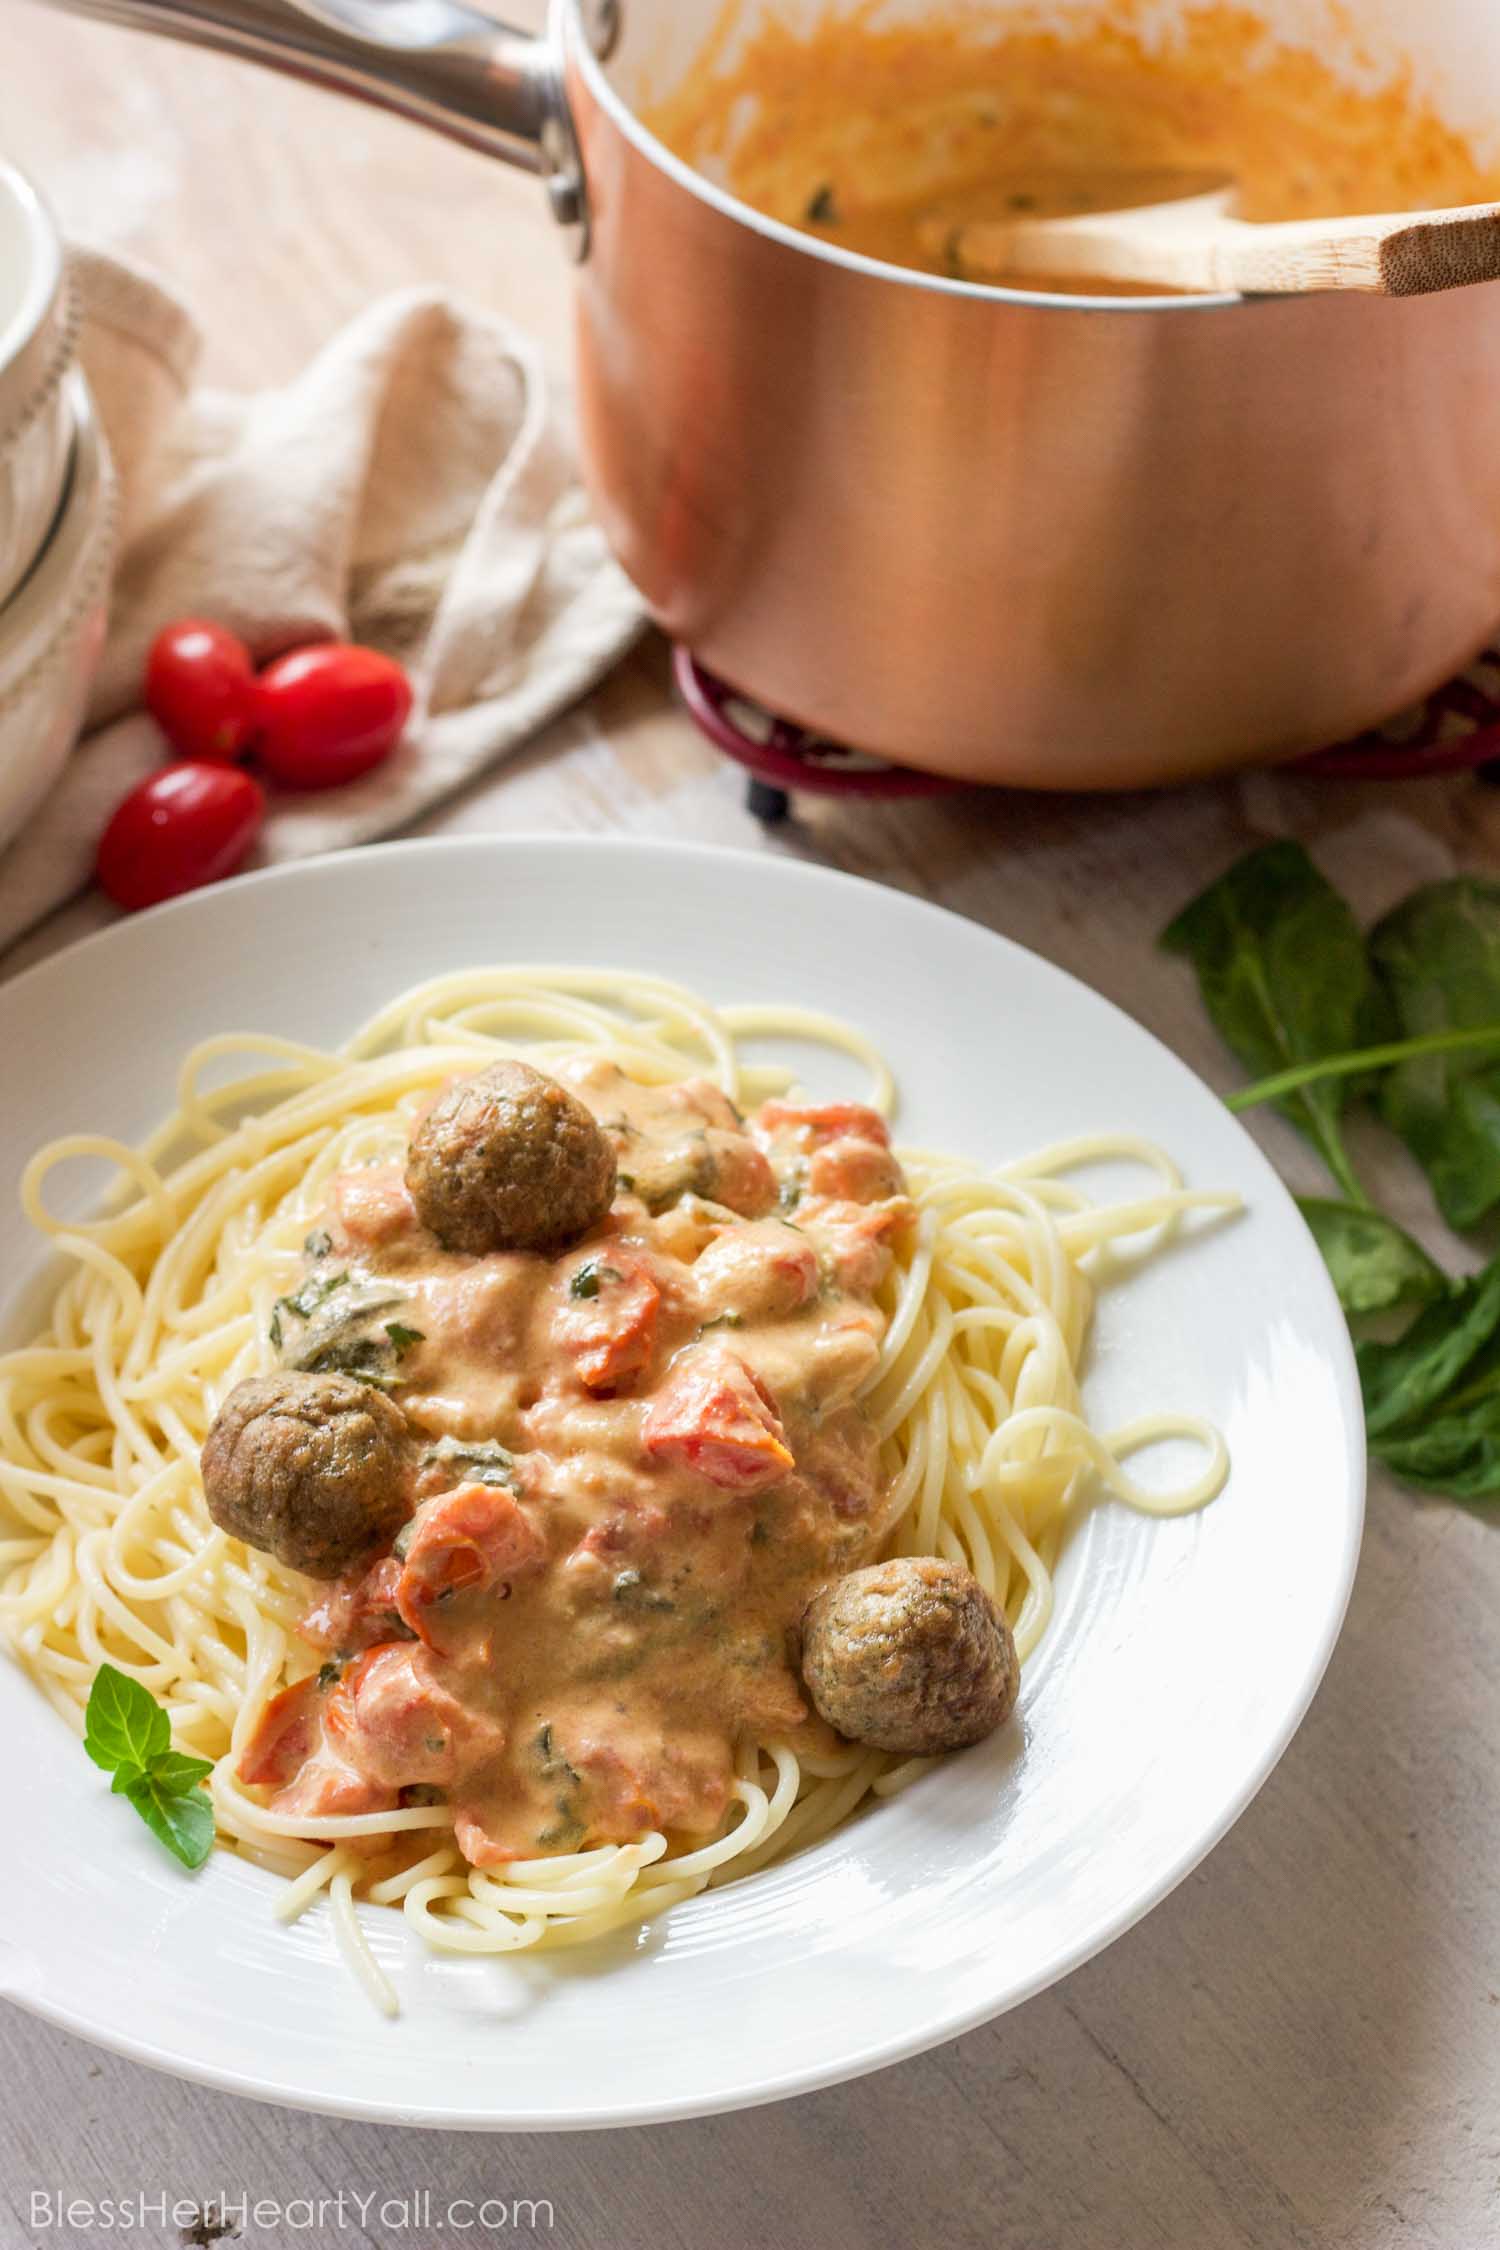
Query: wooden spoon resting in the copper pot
[[1184, 237]]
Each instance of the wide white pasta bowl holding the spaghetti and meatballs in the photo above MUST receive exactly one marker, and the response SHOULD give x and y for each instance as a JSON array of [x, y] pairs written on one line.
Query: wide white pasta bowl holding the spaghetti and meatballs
[[1173, 1677]]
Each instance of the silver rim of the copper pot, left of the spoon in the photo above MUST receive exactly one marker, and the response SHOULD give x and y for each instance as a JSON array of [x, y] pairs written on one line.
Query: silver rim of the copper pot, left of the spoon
[[579, 51]]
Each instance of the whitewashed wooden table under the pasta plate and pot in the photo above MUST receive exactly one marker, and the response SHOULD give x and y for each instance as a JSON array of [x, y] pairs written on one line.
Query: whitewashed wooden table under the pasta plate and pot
[[1303, 2044]]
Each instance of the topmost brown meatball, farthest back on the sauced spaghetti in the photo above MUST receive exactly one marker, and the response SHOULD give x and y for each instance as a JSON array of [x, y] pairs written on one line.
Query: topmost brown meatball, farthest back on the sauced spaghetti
[[509, 1162]]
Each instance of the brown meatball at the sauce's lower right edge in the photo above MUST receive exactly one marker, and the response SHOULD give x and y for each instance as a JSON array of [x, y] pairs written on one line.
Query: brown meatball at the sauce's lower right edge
[[910, 1655]]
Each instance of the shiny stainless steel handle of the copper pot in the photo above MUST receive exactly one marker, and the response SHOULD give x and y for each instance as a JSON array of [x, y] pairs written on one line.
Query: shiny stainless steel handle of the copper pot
[[442, 64]]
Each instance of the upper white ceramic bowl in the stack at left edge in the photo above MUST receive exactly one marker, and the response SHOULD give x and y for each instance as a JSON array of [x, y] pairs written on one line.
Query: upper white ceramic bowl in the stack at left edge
[[37, 332]]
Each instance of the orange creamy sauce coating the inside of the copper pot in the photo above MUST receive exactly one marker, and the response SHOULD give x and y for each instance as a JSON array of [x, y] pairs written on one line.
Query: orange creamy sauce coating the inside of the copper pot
[[889, 138]]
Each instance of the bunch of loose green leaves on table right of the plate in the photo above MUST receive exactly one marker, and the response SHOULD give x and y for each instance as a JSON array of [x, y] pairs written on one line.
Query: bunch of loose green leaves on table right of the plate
[[1272, 948]]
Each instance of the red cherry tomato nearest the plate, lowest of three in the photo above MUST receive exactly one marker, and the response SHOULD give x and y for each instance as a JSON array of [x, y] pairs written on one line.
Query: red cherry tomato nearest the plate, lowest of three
[[181, 827]]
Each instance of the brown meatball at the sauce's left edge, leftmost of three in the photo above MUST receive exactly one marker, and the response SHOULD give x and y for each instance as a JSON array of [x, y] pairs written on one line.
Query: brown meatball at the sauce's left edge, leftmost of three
[[309, 1468]]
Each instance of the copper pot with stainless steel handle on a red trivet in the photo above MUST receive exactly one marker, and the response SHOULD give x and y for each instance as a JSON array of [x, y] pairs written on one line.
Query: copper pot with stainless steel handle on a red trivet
[[1060, 543]]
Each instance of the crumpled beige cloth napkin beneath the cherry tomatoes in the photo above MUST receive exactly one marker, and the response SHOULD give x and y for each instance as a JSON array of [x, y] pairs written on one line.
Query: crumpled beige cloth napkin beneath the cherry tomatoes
[[413, 489]]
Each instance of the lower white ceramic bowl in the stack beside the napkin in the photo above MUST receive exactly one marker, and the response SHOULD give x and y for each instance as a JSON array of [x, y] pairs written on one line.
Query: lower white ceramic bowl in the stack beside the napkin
[[53, 627]]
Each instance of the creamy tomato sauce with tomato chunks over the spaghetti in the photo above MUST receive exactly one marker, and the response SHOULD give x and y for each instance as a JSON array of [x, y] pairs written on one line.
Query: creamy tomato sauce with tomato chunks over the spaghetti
[[638, 1461]]
